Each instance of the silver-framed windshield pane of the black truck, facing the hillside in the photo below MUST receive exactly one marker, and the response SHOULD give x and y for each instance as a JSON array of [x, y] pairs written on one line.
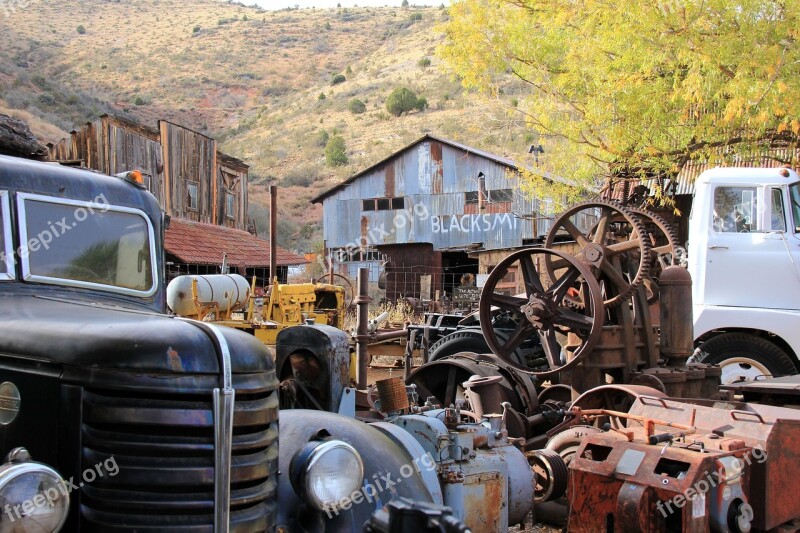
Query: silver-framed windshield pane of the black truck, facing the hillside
[[93, 245]]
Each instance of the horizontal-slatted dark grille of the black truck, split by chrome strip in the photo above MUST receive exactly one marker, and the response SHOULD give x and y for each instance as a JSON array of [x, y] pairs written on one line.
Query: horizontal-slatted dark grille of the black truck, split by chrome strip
[[163, 446]]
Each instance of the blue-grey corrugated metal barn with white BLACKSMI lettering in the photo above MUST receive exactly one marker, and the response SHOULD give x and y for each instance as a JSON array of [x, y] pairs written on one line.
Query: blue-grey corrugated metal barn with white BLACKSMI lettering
[[429, 215]]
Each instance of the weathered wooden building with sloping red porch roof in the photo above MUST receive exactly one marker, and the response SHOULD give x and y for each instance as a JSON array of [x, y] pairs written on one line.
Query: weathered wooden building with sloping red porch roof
[[201, 189]]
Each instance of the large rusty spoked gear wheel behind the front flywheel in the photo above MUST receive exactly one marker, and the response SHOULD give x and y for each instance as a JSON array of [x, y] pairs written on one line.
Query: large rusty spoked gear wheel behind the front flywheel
[[611, 255]]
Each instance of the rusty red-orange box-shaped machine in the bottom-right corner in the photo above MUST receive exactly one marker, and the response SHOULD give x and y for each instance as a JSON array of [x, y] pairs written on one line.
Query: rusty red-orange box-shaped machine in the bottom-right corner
[[688, 466]]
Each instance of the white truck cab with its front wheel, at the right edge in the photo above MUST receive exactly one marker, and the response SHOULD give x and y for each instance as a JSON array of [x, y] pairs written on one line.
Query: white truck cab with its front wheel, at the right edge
[[744, 258]]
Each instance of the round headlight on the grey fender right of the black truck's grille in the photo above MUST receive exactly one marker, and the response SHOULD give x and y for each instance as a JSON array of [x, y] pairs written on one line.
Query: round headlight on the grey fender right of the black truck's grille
[[326, 473]]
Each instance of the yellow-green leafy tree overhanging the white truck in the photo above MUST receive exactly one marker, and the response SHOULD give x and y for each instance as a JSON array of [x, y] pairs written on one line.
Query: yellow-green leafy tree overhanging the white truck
[[636, 88]]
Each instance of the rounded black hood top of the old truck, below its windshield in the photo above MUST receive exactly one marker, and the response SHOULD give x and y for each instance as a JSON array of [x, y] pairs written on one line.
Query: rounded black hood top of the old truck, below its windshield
[[101, 336]]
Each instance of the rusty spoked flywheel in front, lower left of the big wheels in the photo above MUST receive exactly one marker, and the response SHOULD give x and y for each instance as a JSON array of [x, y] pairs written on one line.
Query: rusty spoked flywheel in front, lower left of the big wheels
[[545, 310]]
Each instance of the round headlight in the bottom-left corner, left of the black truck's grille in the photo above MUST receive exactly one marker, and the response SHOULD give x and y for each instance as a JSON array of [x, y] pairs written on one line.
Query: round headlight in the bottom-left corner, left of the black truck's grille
[[32, 496]]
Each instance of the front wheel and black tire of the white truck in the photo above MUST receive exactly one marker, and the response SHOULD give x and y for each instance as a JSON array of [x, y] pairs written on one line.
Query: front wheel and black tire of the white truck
[[745, 356]]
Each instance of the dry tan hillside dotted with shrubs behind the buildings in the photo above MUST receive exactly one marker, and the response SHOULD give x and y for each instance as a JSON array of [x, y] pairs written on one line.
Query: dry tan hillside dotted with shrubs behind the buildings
[[259, 81]]
